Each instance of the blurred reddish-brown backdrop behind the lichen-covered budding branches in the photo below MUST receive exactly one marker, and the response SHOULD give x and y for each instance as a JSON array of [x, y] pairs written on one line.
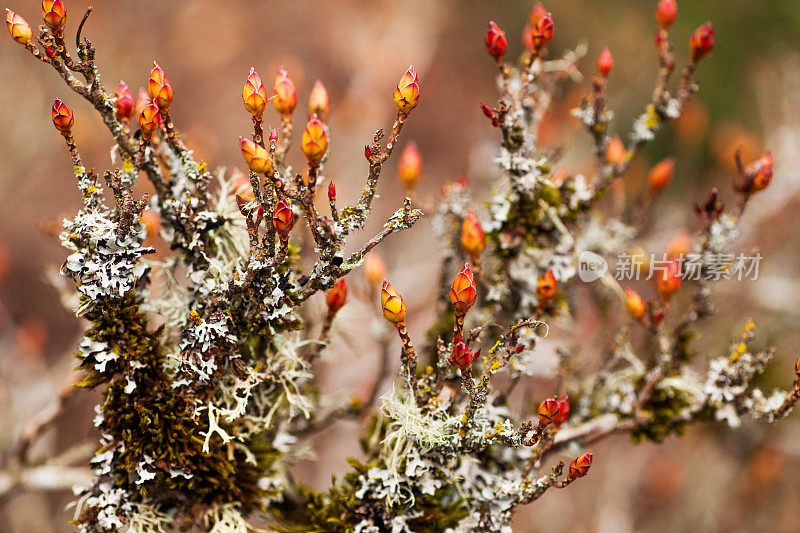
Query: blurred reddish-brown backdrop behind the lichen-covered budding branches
[[711, 479]]
